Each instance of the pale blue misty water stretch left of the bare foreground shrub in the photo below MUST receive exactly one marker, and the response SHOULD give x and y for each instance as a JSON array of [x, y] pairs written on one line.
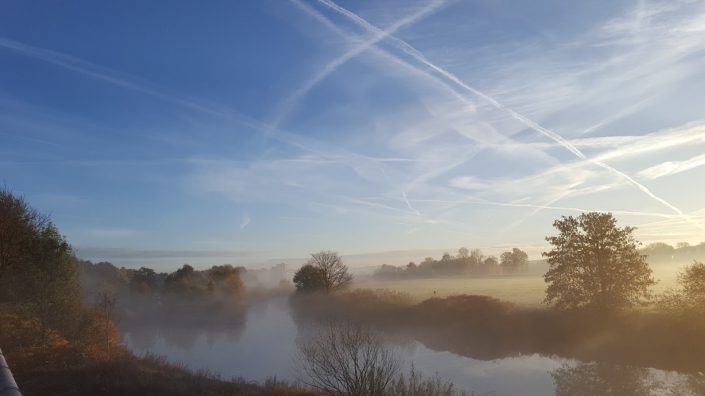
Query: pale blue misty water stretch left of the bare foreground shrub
[[255, 349]]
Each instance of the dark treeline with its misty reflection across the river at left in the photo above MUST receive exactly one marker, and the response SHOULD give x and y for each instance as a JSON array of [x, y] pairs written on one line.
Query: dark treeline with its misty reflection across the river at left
[[213, 294]]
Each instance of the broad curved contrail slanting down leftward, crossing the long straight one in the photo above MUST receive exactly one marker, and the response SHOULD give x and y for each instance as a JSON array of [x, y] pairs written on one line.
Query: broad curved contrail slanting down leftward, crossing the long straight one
[[377, 36]]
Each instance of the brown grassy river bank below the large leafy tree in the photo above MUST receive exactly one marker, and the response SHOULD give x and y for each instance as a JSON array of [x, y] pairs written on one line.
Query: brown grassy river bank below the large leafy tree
[[483, 327]]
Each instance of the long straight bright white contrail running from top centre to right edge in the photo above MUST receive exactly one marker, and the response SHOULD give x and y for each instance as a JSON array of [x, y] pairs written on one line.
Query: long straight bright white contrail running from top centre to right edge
[[414, 53]]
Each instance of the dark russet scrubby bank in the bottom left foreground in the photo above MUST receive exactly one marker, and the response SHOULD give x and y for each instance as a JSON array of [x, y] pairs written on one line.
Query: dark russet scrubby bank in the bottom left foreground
[[47, 362]]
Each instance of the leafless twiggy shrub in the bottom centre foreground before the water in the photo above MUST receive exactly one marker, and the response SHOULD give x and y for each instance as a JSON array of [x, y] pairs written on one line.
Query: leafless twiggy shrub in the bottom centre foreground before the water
[[346, 359]]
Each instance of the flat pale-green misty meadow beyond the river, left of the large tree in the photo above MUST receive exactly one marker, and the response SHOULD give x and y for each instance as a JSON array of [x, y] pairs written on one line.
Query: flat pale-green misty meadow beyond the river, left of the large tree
[[527, 291]]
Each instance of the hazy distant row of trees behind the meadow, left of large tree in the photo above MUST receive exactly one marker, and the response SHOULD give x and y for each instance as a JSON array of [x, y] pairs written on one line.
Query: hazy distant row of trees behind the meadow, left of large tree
[[466, 263]]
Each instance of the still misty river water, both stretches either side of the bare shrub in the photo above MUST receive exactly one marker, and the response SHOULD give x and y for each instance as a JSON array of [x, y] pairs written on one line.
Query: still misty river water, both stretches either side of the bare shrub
[[264, 345]]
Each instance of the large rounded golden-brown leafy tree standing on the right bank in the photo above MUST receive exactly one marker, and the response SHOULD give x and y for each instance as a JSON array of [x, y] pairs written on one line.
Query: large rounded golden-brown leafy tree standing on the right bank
[[596, 264]]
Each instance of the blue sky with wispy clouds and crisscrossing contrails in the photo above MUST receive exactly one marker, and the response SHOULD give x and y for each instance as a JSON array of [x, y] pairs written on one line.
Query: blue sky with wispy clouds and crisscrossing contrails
[[241, 132]]
